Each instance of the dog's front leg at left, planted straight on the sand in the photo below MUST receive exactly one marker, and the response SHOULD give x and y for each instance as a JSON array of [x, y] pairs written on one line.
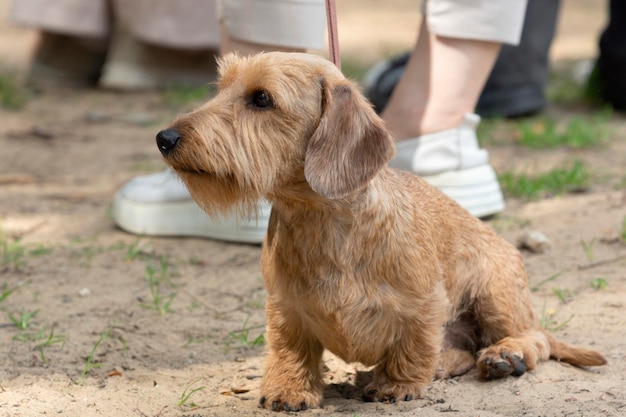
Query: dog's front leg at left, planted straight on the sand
[[292, 380]]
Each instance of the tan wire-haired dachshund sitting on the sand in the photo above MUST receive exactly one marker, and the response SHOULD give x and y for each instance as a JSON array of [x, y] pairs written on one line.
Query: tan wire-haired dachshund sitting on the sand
[[370, 263]]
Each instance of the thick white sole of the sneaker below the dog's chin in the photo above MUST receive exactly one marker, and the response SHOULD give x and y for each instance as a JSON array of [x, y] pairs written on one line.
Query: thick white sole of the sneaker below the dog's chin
[[185, 218]]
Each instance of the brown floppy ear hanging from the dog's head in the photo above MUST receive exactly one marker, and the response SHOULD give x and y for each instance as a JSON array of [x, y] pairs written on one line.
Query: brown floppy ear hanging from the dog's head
[[349, 146]]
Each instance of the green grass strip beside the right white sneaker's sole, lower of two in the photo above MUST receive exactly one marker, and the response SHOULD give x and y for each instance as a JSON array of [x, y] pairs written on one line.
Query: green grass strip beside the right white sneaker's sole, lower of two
[[572, 178]]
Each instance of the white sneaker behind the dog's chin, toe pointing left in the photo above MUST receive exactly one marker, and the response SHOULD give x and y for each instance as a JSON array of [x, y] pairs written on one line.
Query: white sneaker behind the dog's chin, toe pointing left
[[159, 204]]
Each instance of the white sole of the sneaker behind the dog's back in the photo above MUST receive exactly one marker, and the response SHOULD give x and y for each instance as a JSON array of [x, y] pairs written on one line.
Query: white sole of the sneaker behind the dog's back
[[475, 189]]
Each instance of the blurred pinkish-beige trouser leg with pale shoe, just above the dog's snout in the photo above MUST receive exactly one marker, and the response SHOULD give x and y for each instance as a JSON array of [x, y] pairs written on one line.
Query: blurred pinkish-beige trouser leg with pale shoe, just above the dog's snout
[[161, 43]]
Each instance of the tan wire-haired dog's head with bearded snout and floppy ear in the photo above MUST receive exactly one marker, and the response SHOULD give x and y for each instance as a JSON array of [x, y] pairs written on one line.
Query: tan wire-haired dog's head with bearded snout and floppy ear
[[281, 123]]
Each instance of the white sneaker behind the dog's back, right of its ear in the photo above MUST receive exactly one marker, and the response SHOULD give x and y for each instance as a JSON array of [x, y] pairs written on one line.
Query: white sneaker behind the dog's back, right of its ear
[[452, 161]]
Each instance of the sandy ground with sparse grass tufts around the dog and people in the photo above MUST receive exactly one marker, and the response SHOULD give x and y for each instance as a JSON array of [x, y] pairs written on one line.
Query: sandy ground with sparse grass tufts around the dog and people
[[95, 347]]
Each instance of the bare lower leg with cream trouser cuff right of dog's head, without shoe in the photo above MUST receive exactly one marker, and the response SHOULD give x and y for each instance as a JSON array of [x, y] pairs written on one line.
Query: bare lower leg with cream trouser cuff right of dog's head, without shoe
[[456, 49]]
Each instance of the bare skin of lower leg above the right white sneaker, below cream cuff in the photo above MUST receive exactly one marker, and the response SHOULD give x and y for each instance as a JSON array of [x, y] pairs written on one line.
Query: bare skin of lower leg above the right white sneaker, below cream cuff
[[442, 81]]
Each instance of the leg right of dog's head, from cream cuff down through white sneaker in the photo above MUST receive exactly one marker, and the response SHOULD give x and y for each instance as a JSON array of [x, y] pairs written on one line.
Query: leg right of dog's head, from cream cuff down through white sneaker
[[430, 111]]
